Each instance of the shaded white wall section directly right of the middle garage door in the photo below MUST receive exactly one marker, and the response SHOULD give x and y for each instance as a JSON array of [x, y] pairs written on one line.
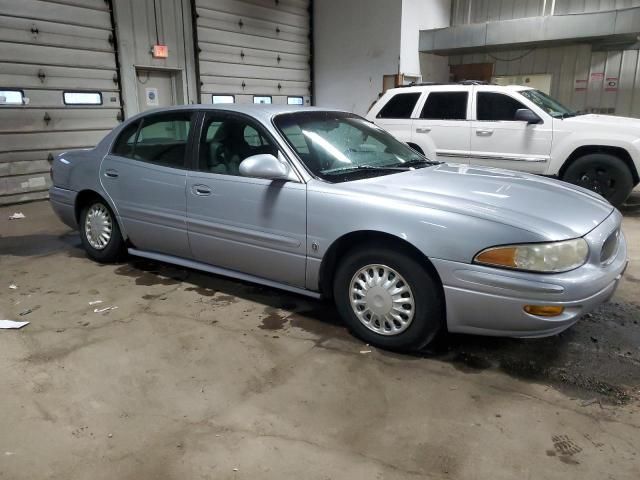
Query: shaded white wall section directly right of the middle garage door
[[356, 42]]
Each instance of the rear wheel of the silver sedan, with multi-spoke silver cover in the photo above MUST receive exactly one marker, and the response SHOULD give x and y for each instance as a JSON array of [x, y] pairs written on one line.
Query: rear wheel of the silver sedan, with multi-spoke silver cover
[[98, 249]]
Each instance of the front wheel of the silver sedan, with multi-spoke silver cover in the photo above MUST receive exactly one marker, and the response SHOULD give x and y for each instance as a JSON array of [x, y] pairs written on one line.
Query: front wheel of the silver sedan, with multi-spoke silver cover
[[427, 317]]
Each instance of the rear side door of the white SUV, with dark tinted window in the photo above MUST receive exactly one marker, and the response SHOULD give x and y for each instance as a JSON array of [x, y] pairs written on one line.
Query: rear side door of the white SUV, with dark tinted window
[[442, 128]]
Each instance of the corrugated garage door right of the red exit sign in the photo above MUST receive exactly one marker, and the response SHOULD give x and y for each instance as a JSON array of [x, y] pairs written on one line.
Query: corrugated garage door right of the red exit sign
[[254, 50]]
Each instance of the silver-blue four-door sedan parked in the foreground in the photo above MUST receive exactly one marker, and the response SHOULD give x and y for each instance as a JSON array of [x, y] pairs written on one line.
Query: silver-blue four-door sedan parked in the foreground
[[325, 204]]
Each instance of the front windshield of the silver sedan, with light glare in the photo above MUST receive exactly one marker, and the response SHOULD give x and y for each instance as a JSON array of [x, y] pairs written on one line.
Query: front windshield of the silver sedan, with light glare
[[339, 147]]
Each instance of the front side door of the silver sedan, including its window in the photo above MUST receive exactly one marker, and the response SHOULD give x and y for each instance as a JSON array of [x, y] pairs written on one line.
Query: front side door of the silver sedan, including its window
[[248, 225]]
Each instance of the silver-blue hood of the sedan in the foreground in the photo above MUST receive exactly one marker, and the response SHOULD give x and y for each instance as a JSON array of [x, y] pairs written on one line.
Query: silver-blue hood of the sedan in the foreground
[[550, 208]]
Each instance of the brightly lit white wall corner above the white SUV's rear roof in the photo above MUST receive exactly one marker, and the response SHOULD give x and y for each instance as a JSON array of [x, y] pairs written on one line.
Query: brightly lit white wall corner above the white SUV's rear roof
[[421, 15]]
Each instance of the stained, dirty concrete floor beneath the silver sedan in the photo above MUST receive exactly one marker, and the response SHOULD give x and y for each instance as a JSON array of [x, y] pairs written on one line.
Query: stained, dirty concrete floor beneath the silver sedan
[[198, 377]]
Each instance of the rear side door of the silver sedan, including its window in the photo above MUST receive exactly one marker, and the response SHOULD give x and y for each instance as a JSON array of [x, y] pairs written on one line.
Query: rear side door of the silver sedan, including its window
[[145, 176]]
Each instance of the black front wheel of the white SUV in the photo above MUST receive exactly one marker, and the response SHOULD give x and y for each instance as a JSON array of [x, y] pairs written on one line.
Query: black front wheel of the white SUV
[[605, 174]]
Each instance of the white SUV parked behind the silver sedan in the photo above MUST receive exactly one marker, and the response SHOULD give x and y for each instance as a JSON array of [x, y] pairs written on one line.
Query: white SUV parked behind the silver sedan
[[517, 128]]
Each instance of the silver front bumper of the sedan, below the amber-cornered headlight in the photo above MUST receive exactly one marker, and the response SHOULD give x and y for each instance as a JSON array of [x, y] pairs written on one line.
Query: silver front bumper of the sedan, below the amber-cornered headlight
[[490, 301]]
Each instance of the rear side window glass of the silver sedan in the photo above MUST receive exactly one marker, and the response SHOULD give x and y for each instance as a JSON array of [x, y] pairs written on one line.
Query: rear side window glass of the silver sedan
[[160, 139]]
